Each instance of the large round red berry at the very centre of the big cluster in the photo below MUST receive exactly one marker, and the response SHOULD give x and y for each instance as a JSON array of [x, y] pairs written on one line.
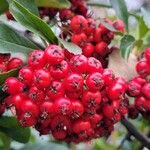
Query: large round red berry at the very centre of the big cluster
[[74, 82]]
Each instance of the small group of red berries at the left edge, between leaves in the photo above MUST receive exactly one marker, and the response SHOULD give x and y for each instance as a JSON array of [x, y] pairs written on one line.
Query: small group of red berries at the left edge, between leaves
[[7, 63]]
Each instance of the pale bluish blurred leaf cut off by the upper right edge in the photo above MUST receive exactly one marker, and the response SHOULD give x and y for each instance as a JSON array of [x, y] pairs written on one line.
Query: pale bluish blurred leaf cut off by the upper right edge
[[145, 10]]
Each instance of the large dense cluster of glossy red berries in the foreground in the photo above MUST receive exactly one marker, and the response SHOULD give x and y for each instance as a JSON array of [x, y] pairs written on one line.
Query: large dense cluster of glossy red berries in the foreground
[[75, 100]]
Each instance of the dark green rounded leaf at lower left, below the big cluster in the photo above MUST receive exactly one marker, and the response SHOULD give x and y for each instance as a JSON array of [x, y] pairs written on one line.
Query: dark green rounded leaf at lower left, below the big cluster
[[10, 127]]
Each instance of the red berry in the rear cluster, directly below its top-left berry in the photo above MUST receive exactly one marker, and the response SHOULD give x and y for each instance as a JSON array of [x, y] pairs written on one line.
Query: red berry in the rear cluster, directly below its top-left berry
[[79, 39]]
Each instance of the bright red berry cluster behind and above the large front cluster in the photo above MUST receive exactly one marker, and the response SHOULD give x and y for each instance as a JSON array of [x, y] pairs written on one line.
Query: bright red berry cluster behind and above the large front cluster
[[93, 40]]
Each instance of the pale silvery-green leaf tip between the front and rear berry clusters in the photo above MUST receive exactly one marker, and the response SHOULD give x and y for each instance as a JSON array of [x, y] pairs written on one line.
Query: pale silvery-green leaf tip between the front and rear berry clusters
[[71, 47]]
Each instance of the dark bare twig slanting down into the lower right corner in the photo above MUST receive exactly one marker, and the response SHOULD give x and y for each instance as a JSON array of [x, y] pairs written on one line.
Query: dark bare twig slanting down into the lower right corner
[[138, 135]]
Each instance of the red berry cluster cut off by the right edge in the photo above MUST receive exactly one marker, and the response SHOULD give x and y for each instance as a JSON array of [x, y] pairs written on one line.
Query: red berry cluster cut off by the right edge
[[139, 88]]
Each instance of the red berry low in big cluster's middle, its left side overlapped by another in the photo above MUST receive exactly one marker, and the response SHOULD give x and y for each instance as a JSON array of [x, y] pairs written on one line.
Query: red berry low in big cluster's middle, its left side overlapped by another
[[77, 109]]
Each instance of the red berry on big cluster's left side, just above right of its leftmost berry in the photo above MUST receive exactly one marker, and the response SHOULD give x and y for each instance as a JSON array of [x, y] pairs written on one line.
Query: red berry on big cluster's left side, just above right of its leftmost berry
[[26, 75]]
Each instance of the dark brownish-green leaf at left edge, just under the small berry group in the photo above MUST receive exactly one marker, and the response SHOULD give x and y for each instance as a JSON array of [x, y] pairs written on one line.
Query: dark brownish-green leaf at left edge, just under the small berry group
[[4, 76]]
